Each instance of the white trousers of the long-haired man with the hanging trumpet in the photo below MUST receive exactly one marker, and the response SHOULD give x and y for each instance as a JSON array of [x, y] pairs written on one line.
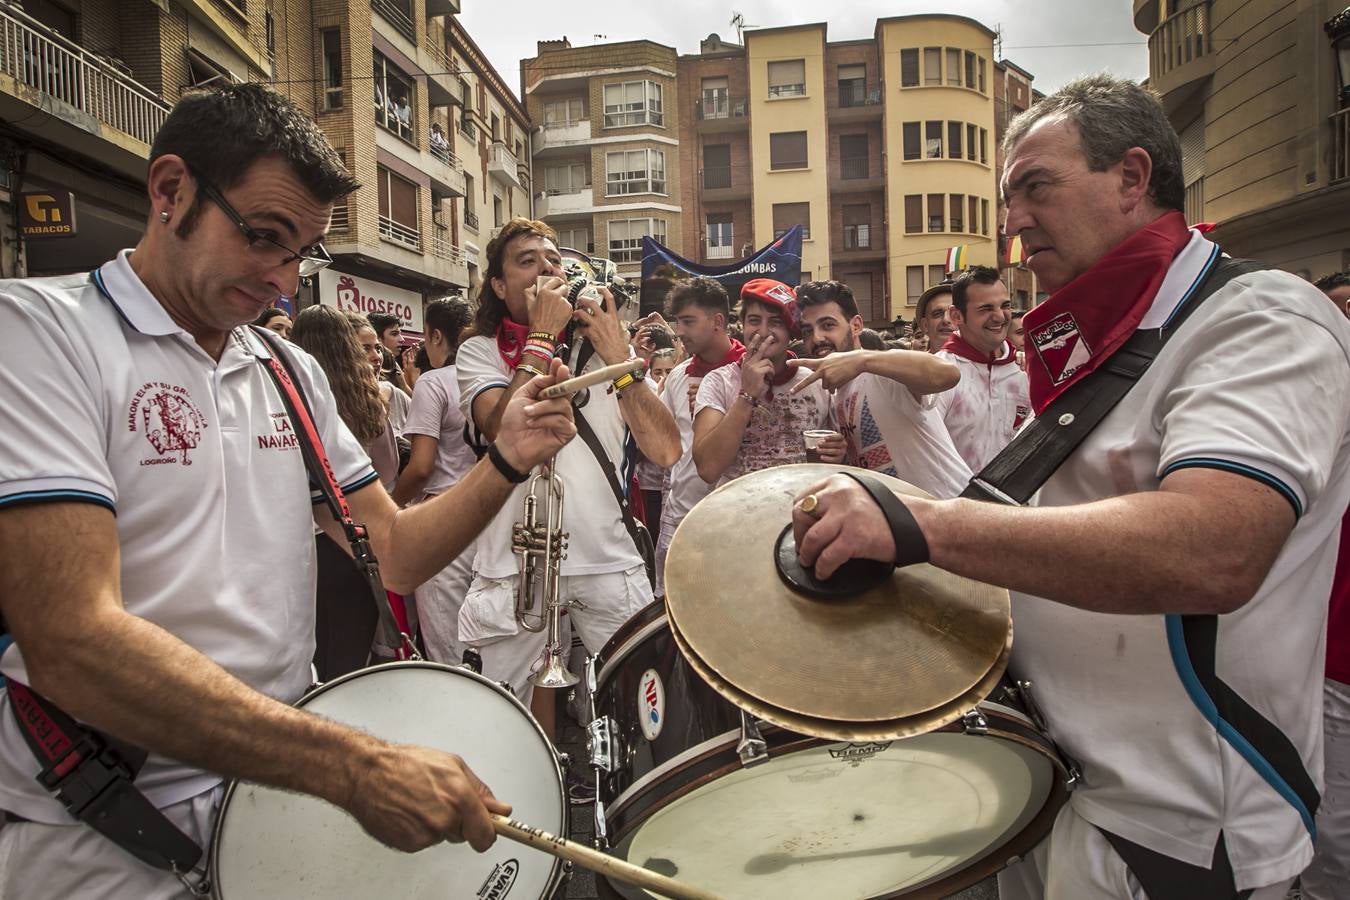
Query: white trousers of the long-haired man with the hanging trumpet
[[608, 601]]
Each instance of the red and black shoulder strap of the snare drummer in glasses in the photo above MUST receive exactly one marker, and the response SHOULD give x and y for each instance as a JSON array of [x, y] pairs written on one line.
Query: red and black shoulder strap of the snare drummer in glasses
[[326, 482]]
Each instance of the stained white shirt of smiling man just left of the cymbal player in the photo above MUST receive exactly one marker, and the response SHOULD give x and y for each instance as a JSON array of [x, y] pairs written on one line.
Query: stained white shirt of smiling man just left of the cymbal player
[[986, 407]]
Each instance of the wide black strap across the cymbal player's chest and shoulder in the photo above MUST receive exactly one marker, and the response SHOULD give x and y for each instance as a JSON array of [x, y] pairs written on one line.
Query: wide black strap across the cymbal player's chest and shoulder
[[1040, 449]]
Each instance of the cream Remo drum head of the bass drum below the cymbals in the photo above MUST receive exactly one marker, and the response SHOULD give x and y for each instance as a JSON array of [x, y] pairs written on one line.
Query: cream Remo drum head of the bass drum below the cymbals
[[848, 821]]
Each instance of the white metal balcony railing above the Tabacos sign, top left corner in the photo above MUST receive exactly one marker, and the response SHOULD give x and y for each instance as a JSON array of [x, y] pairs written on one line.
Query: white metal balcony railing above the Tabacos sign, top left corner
[[38, 57]]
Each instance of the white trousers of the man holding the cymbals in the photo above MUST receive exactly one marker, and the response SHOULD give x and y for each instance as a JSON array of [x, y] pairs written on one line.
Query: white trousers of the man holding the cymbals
[[1078, 863]]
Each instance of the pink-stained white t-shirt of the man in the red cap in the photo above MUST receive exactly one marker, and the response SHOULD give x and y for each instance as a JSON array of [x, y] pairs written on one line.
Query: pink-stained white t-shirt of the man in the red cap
[[774, 434]]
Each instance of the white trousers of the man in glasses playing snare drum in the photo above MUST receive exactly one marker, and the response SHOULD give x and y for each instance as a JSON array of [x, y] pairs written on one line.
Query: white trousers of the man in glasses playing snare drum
[[76, 863]]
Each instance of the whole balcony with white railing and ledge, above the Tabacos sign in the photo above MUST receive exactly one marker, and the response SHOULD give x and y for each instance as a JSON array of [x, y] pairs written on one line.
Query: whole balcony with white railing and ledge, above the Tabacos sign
[[74, 98]]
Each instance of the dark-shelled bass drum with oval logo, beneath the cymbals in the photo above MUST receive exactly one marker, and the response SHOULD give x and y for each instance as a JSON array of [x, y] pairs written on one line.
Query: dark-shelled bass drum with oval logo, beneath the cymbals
[[917, 818]]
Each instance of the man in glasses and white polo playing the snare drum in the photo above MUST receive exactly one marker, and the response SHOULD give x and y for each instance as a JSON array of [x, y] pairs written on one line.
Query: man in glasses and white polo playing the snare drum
[[157, 565]]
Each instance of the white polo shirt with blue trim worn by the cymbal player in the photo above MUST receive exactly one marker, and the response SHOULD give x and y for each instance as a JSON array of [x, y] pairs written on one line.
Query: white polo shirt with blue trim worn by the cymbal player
[[1256, 383]]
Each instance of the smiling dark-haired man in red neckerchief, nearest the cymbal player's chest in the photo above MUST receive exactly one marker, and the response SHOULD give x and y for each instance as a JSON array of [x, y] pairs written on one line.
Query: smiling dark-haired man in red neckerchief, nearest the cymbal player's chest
[[992, 400]]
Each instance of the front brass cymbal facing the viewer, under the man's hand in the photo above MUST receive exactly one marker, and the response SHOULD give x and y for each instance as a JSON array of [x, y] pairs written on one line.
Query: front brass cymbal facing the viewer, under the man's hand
[[916, 643]]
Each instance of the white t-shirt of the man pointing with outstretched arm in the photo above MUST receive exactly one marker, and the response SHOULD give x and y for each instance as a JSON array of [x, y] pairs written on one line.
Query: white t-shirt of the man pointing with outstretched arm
[[888, 431]]
